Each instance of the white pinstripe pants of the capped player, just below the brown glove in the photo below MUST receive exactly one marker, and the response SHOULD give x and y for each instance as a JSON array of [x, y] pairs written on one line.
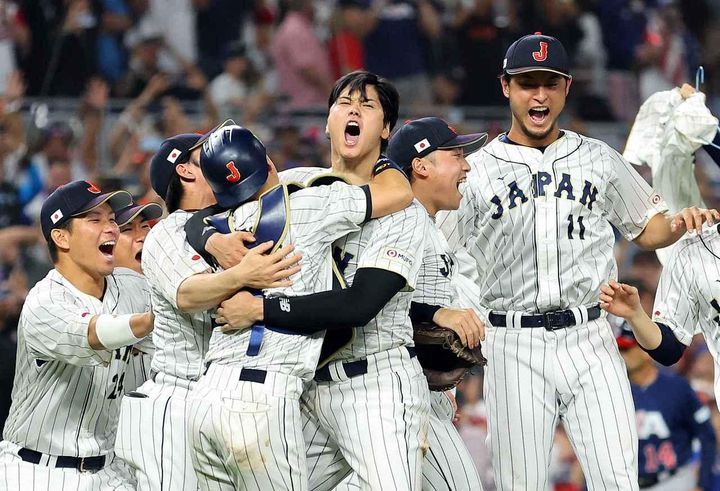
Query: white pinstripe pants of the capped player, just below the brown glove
[[448, 466]]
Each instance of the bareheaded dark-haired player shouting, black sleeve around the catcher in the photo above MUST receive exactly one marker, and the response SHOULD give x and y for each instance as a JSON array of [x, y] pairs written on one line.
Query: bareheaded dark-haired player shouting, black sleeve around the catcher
[[366, 410]]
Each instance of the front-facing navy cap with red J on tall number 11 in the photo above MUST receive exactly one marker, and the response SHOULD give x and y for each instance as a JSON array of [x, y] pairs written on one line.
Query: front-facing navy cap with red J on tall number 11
[[536, 52]]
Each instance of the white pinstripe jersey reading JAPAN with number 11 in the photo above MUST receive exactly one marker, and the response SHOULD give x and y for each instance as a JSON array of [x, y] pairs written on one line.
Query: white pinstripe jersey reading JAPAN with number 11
[[538, 223]]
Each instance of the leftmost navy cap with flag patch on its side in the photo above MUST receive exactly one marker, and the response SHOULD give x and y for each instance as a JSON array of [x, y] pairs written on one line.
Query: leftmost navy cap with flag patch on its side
[[75, 199]]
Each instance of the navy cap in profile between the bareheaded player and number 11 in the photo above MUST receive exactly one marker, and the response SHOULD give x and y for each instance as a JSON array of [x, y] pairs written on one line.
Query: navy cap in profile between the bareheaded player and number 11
[[418, 138]]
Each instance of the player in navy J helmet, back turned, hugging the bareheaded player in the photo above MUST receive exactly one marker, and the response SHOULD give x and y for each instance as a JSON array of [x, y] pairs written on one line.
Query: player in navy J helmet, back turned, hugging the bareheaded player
[[244, 420]]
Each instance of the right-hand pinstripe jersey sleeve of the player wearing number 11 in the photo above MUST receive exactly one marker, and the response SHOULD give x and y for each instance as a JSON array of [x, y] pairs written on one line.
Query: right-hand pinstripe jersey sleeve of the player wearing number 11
[[632, 202]]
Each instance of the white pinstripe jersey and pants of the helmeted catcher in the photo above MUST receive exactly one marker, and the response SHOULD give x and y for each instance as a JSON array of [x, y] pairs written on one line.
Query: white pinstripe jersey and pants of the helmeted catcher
[[248, 434]]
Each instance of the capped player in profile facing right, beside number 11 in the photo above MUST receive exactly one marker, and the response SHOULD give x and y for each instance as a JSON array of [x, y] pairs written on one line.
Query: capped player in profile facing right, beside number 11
[[433, 155]]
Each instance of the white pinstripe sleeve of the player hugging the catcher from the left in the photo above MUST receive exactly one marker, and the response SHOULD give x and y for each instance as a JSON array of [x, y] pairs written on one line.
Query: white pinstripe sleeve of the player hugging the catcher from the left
[[171, 263]]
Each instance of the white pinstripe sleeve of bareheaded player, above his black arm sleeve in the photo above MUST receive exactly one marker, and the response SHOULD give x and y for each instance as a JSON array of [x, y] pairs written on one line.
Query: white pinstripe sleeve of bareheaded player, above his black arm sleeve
[[397, 244]]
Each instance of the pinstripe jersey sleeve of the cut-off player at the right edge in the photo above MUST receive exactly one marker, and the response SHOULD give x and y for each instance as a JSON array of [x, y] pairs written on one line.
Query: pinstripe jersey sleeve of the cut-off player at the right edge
[[677, 302]]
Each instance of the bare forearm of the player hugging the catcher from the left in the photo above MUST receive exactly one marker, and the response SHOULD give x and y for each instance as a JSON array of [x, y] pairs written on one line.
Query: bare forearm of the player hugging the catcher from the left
[[206, 290]]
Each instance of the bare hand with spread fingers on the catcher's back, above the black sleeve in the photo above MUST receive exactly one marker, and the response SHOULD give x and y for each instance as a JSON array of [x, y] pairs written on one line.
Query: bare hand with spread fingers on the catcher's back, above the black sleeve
[[259, 270]]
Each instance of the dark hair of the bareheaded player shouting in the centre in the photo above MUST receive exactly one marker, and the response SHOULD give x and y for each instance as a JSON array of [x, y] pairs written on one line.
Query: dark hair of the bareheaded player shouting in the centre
[[357, 81]]
